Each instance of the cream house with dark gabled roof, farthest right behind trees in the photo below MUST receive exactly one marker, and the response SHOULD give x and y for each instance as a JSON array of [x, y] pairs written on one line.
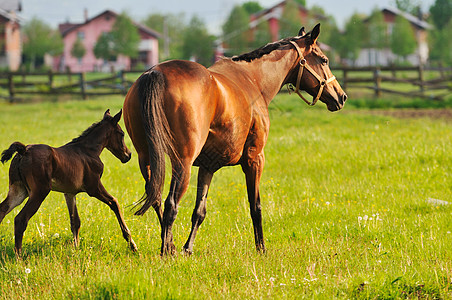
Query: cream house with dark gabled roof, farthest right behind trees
[[384, 57]]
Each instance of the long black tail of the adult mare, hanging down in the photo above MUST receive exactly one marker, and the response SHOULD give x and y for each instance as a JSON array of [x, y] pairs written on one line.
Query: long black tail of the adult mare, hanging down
[[158, 135]]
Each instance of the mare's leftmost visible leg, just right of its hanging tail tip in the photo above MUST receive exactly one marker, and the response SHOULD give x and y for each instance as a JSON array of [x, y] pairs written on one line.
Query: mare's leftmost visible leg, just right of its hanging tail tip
[[179, 185]]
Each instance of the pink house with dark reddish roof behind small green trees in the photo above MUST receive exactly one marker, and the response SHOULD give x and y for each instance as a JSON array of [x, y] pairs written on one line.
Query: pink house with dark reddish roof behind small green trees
[[89, 32]]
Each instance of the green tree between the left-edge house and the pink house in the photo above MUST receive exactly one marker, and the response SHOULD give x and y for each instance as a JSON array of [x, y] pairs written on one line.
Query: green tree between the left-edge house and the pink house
[[39, 39]]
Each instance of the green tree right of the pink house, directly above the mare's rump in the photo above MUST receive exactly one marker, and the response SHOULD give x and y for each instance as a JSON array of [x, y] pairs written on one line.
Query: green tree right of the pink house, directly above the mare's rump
[[198, 43]]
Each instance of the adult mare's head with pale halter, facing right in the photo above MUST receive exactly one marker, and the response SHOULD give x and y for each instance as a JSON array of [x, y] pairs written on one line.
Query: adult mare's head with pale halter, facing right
[[312, 73]]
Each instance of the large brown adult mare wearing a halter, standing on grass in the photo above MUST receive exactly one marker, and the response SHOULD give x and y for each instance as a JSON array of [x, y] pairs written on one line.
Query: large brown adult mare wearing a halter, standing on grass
[[217, 117]]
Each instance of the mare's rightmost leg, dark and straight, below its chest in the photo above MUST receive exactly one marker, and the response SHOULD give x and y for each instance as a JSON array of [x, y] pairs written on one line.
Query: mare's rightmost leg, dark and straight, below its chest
[[253, 172]]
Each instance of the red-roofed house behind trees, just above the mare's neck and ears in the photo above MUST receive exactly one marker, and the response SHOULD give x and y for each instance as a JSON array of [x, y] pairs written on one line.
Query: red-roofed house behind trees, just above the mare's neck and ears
[[273, 15]]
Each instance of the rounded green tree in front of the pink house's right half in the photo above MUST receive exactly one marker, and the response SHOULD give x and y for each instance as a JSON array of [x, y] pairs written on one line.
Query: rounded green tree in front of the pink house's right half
[[125, 36]]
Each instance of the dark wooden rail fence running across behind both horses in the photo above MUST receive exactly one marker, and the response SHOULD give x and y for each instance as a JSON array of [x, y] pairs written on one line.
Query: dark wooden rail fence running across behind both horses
[[420, 82]]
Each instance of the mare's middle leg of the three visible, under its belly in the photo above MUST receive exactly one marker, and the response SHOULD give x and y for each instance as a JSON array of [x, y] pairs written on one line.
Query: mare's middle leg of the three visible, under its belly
[[199, 213]]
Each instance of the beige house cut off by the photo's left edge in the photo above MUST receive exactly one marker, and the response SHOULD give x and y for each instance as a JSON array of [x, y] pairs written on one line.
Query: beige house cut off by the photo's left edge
[[10, 36]]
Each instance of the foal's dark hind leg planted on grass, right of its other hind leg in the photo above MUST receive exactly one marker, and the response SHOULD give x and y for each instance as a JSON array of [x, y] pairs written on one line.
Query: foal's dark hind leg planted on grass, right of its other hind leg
[[30, 208]]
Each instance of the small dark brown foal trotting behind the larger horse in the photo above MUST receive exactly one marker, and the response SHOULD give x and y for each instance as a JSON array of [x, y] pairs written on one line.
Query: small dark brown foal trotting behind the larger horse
[[73, 168]]
